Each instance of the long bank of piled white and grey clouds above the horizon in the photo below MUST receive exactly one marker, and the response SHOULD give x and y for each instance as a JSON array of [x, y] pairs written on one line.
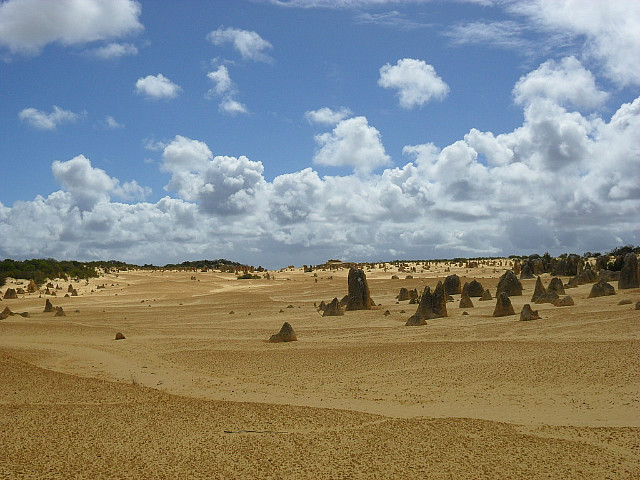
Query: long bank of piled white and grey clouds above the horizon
[[565, 180]]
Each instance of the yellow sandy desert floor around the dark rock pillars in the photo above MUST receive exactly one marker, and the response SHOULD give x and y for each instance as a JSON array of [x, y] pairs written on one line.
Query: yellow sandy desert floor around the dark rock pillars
[[196, 391]]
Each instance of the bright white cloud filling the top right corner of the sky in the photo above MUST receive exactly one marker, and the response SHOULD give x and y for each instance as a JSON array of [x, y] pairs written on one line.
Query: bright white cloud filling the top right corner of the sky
[[610, 29]]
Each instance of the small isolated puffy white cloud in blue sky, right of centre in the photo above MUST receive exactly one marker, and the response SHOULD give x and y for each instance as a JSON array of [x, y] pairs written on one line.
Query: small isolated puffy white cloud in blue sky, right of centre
[[416, 81]]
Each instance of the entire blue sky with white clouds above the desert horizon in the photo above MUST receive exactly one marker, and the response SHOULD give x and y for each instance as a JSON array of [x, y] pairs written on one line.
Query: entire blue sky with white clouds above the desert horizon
[[288, 132]]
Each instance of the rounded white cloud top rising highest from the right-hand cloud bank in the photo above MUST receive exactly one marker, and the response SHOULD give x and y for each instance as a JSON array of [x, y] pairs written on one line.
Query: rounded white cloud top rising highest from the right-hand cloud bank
[[566, 82]]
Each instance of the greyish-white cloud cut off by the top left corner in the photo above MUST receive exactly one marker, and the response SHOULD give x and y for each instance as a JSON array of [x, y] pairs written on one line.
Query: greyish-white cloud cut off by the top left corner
[[26, 26]]
